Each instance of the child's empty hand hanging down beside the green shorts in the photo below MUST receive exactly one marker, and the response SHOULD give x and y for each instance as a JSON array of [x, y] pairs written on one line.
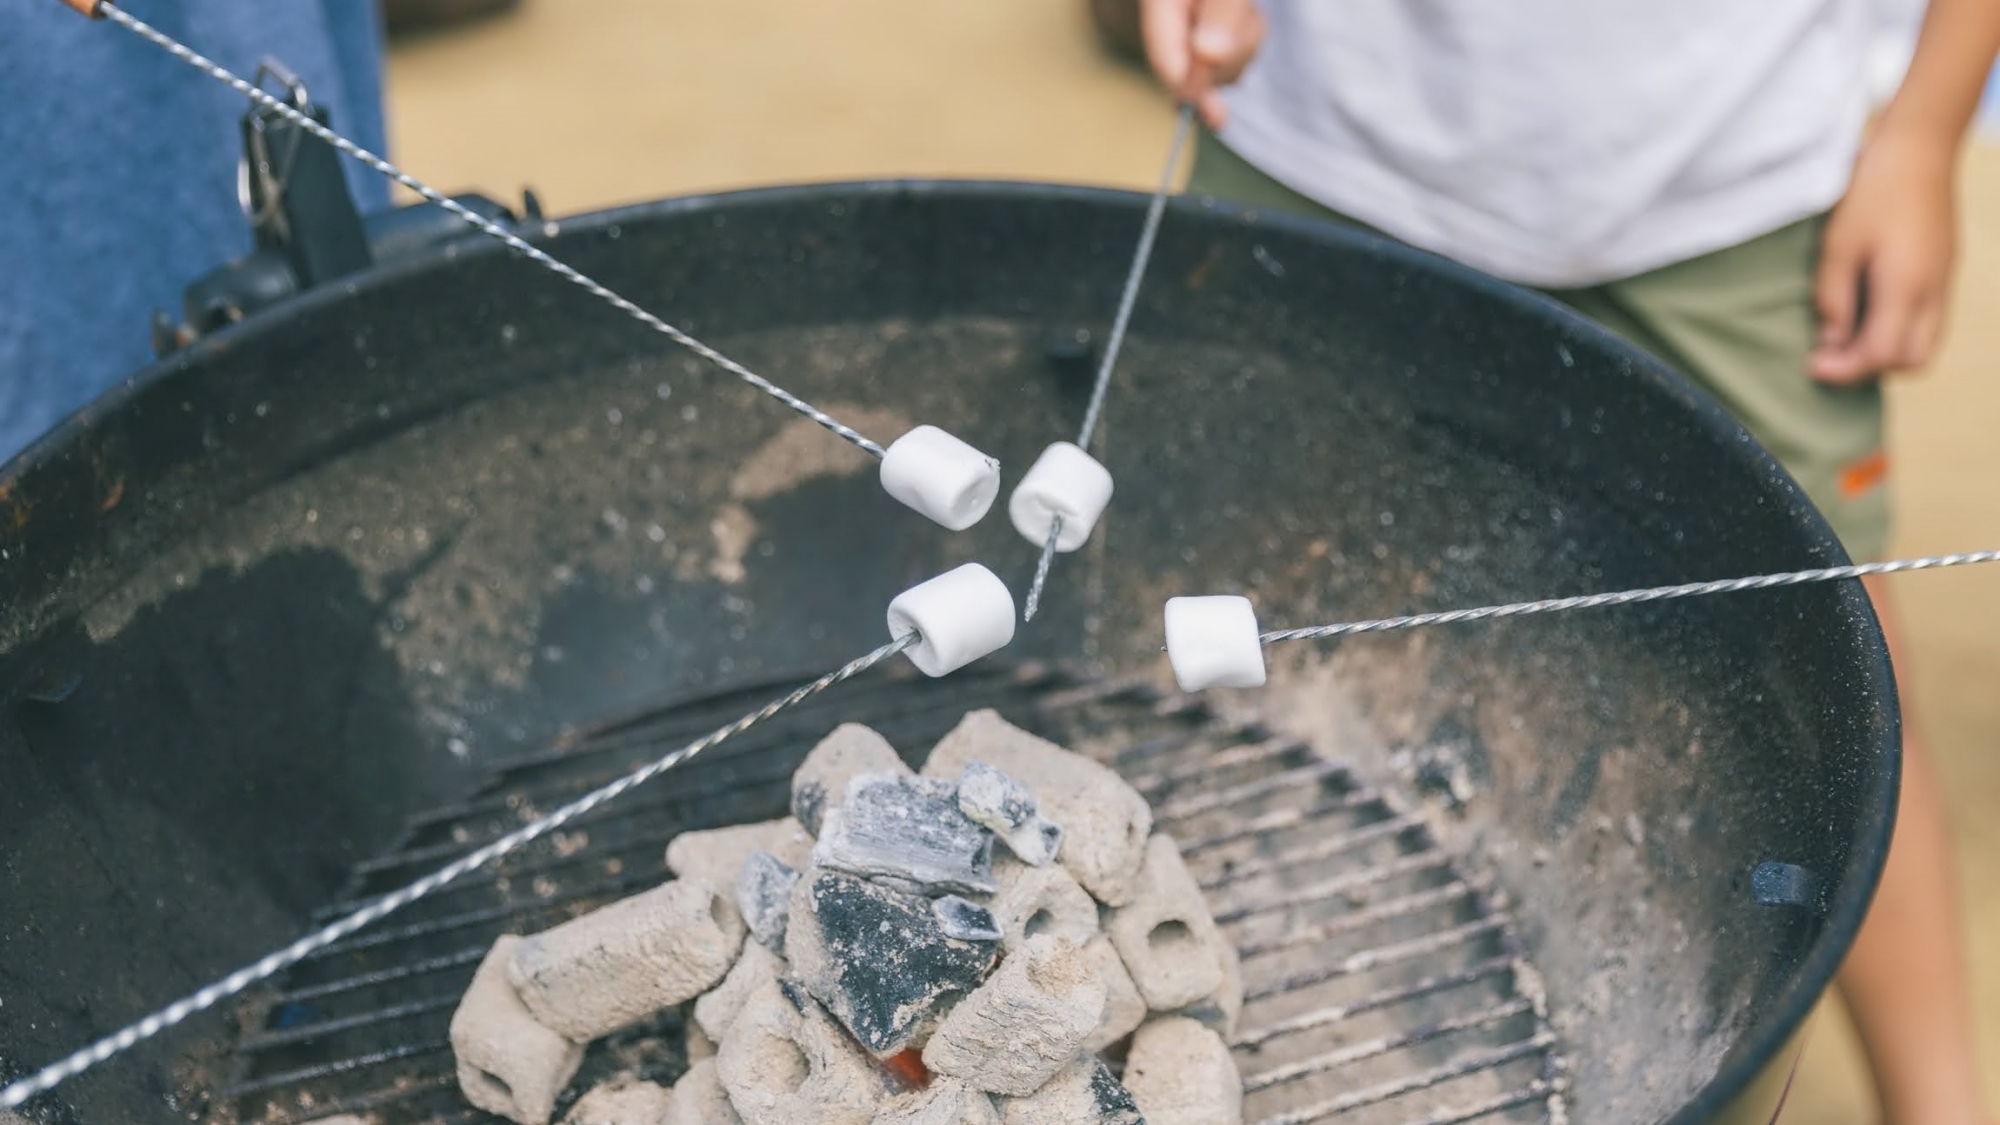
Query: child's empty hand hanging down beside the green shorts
[[1887, 261]]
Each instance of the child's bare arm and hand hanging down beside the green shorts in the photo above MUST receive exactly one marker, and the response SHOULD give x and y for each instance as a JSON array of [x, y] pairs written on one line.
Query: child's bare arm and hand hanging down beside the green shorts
[[1887, 263]]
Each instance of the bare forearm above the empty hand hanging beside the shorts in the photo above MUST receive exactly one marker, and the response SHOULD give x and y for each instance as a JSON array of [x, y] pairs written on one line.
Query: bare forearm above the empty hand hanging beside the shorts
[[1949, 71]]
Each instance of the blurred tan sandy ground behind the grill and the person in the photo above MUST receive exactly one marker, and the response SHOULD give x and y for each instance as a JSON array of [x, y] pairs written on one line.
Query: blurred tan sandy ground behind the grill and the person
[[599, 103]]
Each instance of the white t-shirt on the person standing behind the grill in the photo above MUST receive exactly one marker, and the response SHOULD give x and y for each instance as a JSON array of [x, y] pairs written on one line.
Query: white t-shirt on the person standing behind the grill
[[1561, 143]]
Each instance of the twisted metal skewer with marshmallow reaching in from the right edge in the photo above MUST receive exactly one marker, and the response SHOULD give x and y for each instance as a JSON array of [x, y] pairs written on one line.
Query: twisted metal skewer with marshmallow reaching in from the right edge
[[1215, 642]]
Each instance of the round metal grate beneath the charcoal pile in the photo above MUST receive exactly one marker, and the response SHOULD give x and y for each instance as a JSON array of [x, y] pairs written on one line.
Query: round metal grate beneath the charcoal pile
[[1383, 984]]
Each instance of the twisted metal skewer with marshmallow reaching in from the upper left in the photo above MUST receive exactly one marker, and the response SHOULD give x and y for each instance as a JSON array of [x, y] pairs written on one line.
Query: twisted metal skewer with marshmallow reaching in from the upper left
[[927, 469]]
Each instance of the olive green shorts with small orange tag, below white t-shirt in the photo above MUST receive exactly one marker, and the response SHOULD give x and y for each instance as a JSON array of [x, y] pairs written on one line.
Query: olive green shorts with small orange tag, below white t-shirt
[[1739, 323]]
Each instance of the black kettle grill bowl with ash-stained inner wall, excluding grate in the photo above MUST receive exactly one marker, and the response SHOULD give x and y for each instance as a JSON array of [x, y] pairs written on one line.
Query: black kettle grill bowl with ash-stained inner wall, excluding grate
[[313, 574]]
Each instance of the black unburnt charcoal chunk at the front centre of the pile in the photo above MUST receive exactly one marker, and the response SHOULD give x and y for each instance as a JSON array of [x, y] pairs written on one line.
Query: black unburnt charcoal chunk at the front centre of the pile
[[879, 960]]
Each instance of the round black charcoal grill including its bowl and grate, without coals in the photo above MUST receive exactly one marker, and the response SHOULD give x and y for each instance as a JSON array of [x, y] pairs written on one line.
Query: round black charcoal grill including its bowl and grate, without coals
[[333, 596]]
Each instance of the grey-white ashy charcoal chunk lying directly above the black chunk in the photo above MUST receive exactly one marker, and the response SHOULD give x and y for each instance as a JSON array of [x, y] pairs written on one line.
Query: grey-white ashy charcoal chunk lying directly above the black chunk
[[907, 832]]
